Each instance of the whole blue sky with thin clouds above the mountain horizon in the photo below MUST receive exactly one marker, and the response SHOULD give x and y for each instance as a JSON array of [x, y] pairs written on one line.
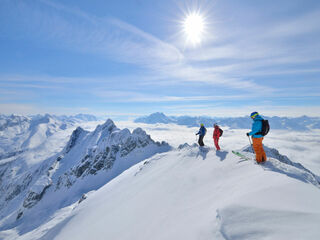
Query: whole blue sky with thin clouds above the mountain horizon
[[132, 57]]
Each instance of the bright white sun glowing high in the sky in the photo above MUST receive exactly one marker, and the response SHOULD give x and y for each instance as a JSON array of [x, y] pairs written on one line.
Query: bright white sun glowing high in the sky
[[194, 27]]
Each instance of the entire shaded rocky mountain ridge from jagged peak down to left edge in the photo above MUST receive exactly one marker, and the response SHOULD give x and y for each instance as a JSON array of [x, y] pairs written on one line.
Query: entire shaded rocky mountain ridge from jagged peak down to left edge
[[88, 161]]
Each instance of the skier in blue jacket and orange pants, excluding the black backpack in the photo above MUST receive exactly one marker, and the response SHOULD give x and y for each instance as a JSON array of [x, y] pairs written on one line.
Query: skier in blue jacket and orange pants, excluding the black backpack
[[257, 137]]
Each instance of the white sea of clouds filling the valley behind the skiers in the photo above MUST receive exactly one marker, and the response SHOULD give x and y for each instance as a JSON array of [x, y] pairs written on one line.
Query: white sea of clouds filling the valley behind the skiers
[[299, 146]]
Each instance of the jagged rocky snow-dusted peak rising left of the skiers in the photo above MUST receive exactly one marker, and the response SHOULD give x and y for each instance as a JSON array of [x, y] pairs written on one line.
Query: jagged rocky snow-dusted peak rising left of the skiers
[[106, 149]]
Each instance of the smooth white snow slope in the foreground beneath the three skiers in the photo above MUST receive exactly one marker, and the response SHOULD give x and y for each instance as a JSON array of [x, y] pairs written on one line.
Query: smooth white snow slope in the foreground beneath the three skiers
[[194, 193]]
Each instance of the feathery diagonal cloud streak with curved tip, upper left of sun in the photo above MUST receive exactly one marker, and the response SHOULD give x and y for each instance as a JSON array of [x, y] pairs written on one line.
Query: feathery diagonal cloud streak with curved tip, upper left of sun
[[112, 37]]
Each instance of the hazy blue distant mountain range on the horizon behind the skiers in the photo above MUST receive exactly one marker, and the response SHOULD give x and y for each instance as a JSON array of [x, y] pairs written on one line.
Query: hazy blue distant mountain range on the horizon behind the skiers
[[303, 123]]
